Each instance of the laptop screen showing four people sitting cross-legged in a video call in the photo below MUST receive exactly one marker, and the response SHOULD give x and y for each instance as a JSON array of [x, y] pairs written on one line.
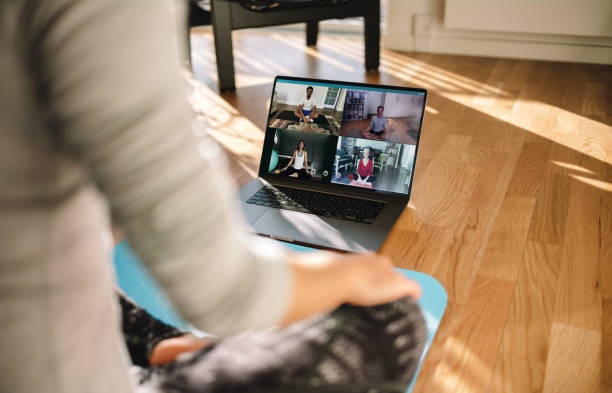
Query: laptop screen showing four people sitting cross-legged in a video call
[[342, 133]]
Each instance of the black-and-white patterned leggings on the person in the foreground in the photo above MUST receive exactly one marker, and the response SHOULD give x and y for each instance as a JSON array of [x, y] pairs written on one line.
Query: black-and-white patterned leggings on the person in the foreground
[[352, 349]]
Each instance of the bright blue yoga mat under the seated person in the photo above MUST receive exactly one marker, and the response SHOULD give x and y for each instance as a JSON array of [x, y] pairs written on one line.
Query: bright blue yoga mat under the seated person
[[134, 279]]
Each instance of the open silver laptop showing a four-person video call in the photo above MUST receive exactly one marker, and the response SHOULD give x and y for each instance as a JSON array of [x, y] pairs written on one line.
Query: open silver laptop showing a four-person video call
[[337, 164]]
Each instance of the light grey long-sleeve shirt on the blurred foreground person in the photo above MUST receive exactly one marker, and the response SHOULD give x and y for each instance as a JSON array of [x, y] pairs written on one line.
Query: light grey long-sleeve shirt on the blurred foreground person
[[94, 120]]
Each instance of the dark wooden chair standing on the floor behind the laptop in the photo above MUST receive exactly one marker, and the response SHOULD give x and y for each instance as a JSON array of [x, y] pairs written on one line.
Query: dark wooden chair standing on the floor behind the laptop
[[229, 15]]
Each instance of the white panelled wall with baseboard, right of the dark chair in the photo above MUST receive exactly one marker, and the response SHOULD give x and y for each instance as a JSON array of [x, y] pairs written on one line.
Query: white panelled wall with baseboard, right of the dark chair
[[503, 28]]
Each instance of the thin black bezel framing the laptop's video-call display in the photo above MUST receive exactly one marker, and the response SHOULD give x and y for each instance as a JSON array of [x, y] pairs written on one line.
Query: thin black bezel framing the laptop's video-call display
[[334, 187]]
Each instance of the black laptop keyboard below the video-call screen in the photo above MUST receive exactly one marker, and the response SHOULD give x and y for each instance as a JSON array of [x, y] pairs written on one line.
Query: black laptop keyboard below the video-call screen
[[321, 204]]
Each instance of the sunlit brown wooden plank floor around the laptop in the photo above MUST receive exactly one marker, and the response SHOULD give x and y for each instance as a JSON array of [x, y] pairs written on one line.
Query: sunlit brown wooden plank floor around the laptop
[[511, 208]]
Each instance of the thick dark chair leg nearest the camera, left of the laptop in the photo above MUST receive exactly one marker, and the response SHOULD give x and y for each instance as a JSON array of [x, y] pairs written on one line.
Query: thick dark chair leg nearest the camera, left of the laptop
[[222, 31]]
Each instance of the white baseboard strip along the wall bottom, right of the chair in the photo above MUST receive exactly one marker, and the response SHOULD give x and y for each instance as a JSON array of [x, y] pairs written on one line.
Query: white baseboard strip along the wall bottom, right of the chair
[[504, 48]]
